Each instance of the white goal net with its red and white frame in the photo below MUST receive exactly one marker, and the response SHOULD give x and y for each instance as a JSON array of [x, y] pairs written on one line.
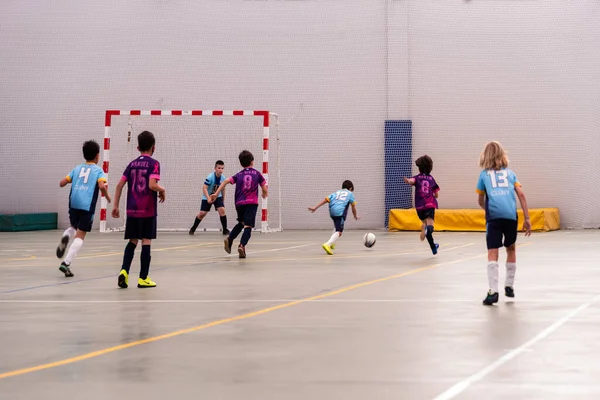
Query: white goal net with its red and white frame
[[188, 143]]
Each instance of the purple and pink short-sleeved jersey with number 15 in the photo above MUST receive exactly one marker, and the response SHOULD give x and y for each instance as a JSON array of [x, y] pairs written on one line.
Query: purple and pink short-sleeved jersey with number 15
[[141, 200]]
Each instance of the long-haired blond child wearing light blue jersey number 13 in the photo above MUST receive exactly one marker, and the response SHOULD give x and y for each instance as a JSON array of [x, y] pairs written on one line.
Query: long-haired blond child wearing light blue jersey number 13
[[498, 189]]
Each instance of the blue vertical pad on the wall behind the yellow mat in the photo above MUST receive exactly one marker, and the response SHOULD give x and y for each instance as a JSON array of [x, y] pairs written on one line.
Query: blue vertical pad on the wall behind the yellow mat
[[398, 163]]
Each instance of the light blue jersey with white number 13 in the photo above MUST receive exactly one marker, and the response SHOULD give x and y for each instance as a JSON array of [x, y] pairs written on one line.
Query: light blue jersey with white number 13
[[498, 186]]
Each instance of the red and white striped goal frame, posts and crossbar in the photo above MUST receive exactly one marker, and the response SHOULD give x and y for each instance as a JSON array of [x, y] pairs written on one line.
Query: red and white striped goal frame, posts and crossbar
[[264, 114]]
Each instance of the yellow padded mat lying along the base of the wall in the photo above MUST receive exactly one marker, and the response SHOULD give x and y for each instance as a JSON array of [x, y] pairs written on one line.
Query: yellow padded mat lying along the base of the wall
[[542, 219]]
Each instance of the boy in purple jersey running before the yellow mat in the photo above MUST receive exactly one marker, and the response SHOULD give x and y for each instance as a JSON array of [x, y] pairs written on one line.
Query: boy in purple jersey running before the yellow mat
[[426, 193]]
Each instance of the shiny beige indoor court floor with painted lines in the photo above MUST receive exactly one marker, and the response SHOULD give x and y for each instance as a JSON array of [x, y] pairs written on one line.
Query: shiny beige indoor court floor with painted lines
[[291, 322]]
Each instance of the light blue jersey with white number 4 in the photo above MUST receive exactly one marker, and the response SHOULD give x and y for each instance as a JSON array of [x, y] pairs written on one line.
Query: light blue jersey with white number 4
[[84, 180]]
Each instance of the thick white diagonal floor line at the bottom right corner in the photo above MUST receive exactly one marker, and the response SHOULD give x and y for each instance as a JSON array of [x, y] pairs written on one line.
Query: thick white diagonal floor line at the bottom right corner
[[465, 383]]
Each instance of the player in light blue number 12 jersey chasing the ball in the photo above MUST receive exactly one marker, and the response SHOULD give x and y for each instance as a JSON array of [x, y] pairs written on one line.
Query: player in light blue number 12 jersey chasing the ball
[[338, 211]]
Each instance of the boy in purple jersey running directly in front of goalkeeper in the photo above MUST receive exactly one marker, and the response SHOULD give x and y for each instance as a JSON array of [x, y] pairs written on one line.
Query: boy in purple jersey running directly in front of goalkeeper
[[246, 184]]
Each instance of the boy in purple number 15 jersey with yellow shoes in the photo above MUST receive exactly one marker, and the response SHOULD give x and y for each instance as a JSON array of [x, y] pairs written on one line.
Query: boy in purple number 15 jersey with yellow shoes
[[141, 176]]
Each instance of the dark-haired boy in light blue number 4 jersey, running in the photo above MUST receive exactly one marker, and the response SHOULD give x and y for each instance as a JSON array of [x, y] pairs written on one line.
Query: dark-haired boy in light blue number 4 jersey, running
[[86, 181]]
